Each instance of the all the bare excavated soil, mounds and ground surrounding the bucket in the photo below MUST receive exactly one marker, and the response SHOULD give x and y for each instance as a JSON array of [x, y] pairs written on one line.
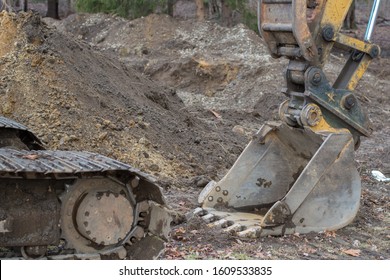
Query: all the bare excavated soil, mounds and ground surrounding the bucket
[[180, 100]]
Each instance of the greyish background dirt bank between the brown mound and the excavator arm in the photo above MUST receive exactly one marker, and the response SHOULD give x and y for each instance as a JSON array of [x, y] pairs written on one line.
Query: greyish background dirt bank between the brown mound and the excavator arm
[[210, 66]]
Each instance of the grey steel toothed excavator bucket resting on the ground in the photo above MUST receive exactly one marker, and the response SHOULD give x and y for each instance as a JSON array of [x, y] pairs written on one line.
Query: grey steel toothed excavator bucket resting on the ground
[[287, 180]]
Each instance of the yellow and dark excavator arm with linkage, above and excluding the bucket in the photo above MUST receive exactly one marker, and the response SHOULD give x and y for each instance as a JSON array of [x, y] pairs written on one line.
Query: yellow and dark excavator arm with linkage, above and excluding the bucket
[[305, 32]]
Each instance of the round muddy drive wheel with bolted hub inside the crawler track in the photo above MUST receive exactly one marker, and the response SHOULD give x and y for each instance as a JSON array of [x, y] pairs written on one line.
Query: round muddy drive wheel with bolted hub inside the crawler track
[[101, 216]]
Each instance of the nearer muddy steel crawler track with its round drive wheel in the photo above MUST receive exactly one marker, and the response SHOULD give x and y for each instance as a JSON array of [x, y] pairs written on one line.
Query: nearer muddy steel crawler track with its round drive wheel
[[98, 207]]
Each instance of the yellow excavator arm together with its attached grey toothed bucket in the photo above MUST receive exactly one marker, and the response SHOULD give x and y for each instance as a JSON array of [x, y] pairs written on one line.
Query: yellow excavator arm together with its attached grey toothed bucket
[[299, 175]]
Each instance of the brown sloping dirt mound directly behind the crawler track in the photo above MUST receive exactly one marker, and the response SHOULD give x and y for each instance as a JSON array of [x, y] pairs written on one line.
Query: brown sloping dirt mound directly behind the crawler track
[[75, 97]]
